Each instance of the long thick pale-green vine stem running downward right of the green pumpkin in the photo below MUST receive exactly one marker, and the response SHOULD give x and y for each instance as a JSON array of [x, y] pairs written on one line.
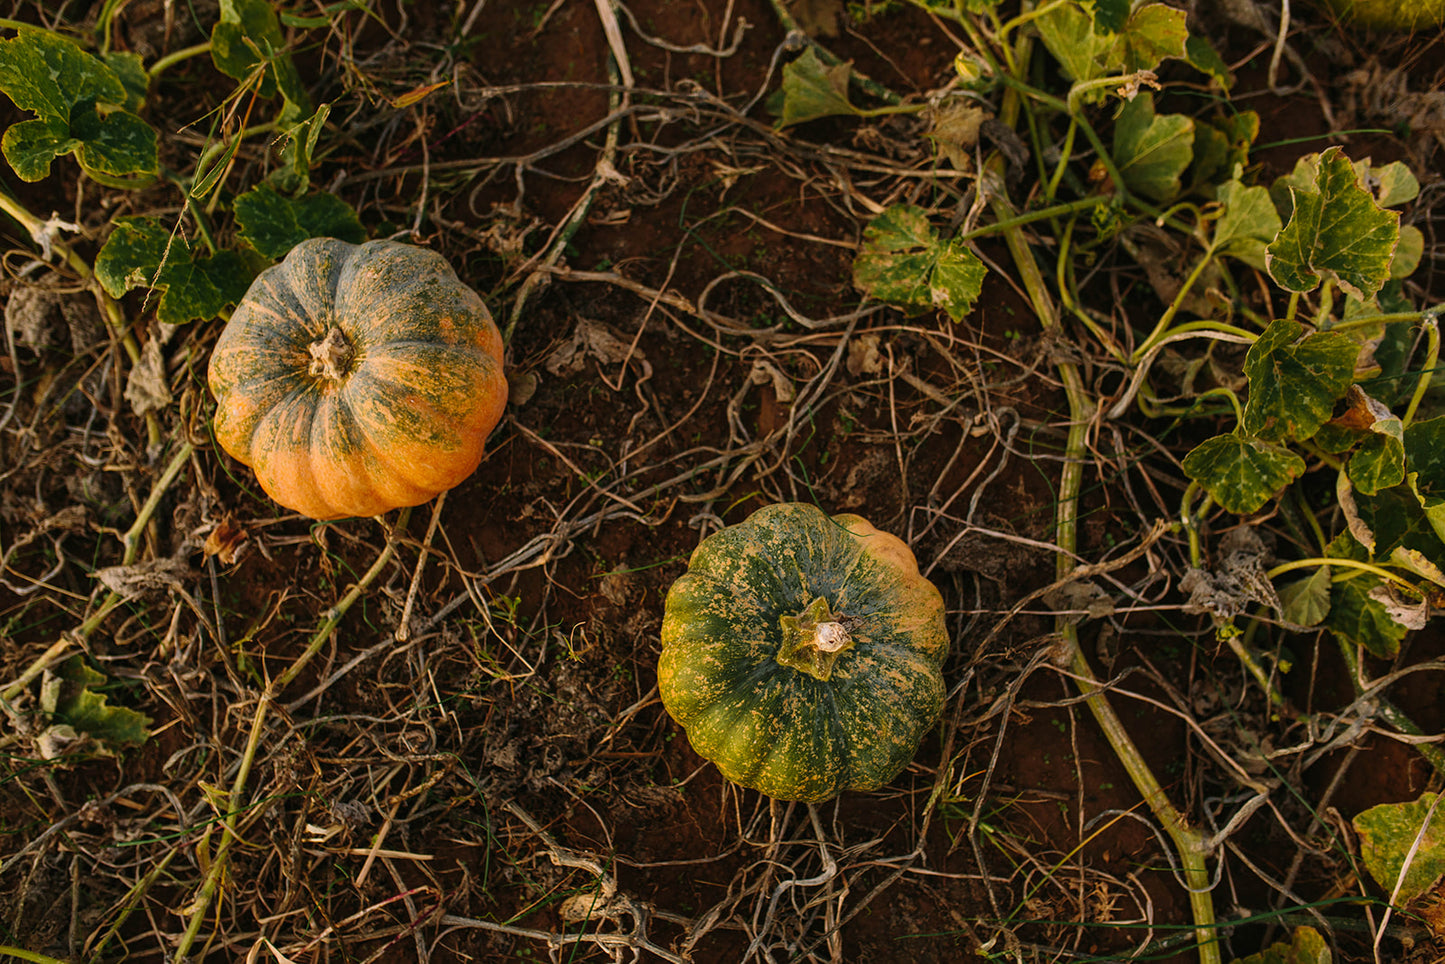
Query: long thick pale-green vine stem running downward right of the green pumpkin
[[1190, 843]]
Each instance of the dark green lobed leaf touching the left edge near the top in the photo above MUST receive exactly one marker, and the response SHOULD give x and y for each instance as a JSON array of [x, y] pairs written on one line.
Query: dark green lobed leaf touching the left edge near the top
[[80, 108]]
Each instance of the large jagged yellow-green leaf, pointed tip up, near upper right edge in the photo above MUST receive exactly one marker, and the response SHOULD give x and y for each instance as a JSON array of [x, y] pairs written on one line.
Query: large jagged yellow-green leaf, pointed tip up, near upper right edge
[[1336, 231]]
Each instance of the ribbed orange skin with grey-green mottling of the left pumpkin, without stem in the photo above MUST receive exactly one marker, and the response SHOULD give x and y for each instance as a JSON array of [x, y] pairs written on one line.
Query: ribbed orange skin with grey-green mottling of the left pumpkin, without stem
[[407, 418]]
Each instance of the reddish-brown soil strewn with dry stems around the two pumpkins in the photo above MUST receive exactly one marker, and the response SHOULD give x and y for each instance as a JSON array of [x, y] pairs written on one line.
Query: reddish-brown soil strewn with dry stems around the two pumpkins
[[506, 778]]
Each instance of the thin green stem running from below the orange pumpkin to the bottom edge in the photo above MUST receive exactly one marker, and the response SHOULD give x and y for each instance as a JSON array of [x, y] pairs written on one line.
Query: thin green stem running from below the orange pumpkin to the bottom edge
[[199, 908]]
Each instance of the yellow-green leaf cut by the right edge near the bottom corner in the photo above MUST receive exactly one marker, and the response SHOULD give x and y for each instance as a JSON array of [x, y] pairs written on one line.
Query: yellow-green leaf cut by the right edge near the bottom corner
[[1391, 833]]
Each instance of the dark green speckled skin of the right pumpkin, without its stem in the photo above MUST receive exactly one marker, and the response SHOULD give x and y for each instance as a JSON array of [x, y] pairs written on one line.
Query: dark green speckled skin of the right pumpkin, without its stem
[[772, 728]]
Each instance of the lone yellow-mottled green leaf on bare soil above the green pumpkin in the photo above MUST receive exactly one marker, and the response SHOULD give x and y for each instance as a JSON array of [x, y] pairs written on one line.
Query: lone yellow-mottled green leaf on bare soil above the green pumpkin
[[905, 264]]
